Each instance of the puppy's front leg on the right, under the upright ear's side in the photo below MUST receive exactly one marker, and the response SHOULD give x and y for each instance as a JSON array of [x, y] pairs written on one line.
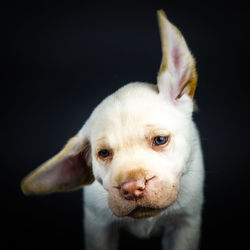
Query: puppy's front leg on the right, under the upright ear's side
[[183, 237]]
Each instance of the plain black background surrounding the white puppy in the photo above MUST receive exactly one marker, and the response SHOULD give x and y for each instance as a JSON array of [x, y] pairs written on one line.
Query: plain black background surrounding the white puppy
[[59, 60]]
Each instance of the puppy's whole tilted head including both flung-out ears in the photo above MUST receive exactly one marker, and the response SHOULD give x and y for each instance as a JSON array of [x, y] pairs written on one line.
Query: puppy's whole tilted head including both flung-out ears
[[136, 143]]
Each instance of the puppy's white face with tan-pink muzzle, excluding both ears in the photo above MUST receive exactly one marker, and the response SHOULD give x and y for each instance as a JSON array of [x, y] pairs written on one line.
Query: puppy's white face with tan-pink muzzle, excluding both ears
[[139, 149]]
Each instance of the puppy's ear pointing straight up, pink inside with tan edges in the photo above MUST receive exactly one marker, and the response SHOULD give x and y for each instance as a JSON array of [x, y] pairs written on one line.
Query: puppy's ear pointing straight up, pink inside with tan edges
[[177, 75]]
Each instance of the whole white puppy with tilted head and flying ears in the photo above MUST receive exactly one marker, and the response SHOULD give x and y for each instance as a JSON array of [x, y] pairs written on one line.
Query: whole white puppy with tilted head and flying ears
[[139, 158]]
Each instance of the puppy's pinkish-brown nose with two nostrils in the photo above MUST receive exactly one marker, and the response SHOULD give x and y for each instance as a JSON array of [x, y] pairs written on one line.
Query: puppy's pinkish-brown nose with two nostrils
[[133, 190]]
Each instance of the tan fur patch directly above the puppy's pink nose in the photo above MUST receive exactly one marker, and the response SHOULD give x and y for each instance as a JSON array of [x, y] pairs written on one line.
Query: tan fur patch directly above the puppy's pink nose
[[131, 174]]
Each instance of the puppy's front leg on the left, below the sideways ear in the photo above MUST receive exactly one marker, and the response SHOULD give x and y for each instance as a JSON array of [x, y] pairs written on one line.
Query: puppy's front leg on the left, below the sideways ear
[[99, 236]]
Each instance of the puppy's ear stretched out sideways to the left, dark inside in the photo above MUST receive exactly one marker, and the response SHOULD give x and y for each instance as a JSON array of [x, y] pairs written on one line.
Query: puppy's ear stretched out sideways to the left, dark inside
[[70, 169]]
